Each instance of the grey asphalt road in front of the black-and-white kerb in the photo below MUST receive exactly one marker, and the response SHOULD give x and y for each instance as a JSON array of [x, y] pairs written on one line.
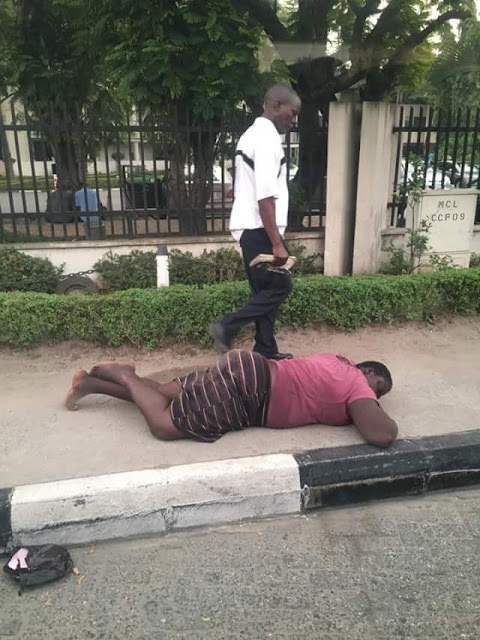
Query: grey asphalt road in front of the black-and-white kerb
[[407, 569]]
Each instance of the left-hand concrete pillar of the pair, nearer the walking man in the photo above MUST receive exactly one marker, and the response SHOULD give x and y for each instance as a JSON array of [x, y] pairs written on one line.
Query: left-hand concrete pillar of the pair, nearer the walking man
[[343, 149]]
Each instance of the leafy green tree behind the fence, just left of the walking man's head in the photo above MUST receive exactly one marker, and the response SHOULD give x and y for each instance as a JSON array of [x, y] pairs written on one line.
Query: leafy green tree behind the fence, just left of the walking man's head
[[188, 63]]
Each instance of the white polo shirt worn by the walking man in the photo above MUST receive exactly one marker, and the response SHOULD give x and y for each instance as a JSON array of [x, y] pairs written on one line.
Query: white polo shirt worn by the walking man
[[260, 172]]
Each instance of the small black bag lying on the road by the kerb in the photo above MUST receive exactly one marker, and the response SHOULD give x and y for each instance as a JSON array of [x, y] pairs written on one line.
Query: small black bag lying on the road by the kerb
[[31, 566]]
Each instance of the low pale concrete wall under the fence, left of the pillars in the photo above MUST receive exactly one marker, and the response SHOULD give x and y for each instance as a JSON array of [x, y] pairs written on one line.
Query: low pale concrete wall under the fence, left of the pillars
[[81, 256]]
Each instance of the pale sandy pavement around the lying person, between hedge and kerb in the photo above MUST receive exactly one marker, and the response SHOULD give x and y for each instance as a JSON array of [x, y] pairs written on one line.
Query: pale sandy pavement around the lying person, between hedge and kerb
[[436, 390]]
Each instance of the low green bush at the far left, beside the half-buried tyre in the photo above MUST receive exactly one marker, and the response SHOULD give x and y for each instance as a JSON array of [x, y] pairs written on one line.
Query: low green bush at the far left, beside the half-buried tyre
[[21, 272]]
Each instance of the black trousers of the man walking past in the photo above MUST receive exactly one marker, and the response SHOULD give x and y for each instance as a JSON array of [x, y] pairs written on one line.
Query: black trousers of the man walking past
[[268, 289]]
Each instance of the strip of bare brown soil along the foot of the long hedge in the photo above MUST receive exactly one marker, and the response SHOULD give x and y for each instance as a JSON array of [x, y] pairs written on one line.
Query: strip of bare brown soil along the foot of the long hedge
[[179, 358]]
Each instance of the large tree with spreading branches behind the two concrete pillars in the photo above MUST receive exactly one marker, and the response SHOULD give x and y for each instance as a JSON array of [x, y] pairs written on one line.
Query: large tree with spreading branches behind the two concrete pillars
[[378, 43]]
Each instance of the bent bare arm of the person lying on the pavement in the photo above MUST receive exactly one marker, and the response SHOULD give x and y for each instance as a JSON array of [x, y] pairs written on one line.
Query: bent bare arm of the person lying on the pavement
[[373, 423]]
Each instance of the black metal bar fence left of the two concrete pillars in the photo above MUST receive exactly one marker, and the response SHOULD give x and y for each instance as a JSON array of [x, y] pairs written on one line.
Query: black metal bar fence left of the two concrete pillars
[[150, 175]]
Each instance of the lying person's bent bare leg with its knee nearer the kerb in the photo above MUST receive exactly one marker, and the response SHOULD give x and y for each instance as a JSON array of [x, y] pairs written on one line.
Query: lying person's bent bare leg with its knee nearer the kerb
[[154, 405]]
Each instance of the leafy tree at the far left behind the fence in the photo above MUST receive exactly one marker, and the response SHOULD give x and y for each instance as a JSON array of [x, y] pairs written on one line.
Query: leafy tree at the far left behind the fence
[[58, 77]]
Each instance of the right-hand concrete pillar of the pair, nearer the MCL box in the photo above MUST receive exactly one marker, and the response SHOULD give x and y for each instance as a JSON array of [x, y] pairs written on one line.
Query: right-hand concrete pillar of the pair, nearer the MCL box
[[377, 145]]
